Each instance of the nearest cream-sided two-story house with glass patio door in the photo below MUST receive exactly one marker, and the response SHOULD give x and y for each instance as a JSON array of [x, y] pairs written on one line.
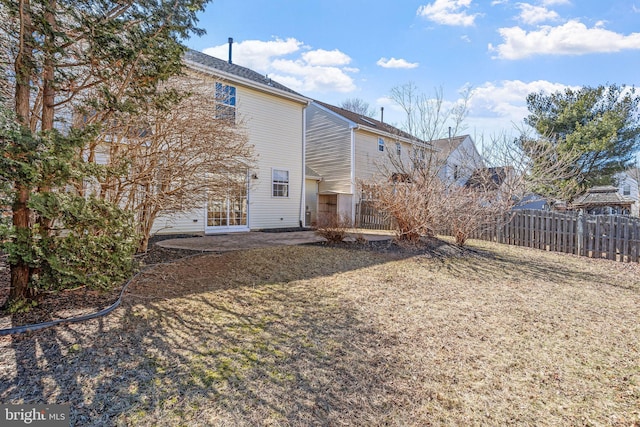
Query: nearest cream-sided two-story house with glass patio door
[[271, 194]]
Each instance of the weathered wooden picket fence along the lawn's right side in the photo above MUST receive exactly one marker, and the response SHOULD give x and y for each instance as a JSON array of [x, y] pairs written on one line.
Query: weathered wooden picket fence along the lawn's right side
[[601, 236]]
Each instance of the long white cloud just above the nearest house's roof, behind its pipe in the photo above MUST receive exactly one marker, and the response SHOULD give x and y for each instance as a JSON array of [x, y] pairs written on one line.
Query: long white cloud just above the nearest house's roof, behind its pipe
[[293, 64]]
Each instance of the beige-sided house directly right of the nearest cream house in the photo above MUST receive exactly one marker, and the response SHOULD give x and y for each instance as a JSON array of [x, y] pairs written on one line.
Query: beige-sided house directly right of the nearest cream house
[[343, 148]]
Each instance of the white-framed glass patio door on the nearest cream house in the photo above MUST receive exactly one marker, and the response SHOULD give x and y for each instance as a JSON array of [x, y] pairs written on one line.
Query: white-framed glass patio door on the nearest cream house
[[227, 206]]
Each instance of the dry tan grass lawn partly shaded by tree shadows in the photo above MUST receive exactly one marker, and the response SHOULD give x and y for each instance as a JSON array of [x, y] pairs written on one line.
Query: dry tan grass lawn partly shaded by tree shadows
[[327, 336]]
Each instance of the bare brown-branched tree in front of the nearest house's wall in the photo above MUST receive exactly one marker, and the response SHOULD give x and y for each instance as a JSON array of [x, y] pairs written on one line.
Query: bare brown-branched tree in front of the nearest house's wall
[[171, 158]]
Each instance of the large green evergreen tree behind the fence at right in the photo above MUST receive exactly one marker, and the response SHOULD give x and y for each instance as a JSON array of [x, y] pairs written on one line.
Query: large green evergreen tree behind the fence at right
[[600, 125]]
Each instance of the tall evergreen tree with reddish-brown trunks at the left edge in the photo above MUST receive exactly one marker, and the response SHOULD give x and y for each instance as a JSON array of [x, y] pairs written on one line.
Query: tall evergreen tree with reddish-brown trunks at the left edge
[[70, 58]]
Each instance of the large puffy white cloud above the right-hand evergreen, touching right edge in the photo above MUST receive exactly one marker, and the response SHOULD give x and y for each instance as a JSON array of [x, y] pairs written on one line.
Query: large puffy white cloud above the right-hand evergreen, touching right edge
[[572, 38]]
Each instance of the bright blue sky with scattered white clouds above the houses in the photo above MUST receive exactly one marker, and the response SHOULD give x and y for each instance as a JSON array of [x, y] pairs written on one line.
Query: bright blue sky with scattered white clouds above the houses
[[332, 50]]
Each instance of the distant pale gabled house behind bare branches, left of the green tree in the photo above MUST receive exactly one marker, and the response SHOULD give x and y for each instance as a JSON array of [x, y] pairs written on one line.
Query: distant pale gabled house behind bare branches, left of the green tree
[[458, 158]]
